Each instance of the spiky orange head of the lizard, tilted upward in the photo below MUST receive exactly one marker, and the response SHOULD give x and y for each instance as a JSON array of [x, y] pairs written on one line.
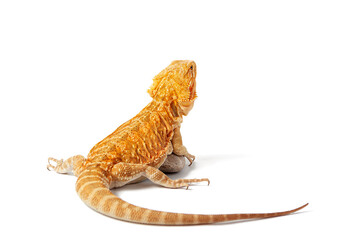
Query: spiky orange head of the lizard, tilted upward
[[176, 83]]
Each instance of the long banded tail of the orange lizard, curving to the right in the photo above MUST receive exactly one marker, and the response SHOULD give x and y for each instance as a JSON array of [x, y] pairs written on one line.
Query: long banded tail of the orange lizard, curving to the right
[[93, 188]]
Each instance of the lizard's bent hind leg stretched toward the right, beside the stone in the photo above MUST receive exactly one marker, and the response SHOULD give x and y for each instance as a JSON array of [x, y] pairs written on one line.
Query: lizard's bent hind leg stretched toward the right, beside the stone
[[127, 172]]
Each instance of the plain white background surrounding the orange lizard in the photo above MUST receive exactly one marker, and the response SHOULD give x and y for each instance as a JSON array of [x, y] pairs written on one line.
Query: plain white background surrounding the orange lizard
[[276, 123]]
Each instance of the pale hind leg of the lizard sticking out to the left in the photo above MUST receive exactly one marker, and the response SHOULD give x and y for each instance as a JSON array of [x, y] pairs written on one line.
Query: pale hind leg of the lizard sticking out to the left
[[66, 166]]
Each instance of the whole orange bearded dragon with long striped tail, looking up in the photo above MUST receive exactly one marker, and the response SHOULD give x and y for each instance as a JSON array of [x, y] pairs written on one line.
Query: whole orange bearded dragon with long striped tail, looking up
[[136, 150]]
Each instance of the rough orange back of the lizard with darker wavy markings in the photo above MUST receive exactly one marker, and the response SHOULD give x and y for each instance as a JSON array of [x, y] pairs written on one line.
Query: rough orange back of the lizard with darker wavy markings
[[143, 139]]
